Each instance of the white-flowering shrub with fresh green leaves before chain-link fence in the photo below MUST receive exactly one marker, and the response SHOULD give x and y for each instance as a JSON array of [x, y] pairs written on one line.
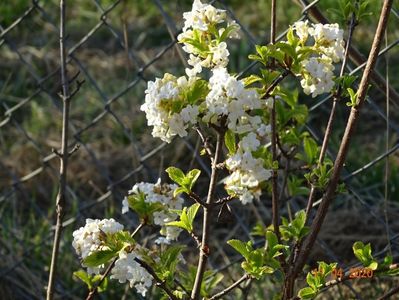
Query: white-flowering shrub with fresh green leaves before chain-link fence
[[240, 120]]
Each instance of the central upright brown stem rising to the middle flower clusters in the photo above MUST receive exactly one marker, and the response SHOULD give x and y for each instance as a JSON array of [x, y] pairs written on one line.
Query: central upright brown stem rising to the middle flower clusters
[[204, 252]]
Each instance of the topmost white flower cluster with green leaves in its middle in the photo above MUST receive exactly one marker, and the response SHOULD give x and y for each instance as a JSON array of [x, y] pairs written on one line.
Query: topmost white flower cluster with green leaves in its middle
[[203, 37]]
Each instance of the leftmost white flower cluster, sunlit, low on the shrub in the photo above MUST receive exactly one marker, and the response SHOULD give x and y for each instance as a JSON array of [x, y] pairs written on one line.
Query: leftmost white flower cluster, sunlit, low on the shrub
[[88, 239]]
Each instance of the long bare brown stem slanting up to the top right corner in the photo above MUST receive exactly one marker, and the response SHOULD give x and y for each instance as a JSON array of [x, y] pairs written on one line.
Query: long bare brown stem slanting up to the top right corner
[[350, 127]]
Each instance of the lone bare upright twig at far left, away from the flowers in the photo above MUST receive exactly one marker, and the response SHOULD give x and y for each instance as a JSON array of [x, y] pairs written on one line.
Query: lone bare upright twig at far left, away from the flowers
[[60, 200]]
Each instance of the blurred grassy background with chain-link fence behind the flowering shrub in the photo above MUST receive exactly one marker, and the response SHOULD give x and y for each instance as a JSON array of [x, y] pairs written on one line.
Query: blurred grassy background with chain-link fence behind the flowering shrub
[[116, 47]]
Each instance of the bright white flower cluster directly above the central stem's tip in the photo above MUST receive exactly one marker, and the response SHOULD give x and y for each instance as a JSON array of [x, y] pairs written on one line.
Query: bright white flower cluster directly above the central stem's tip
[[229, 97]]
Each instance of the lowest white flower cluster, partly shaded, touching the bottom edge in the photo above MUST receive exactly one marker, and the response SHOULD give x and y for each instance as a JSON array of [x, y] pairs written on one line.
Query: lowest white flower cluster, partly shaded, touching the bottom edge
[[127, 269]]
